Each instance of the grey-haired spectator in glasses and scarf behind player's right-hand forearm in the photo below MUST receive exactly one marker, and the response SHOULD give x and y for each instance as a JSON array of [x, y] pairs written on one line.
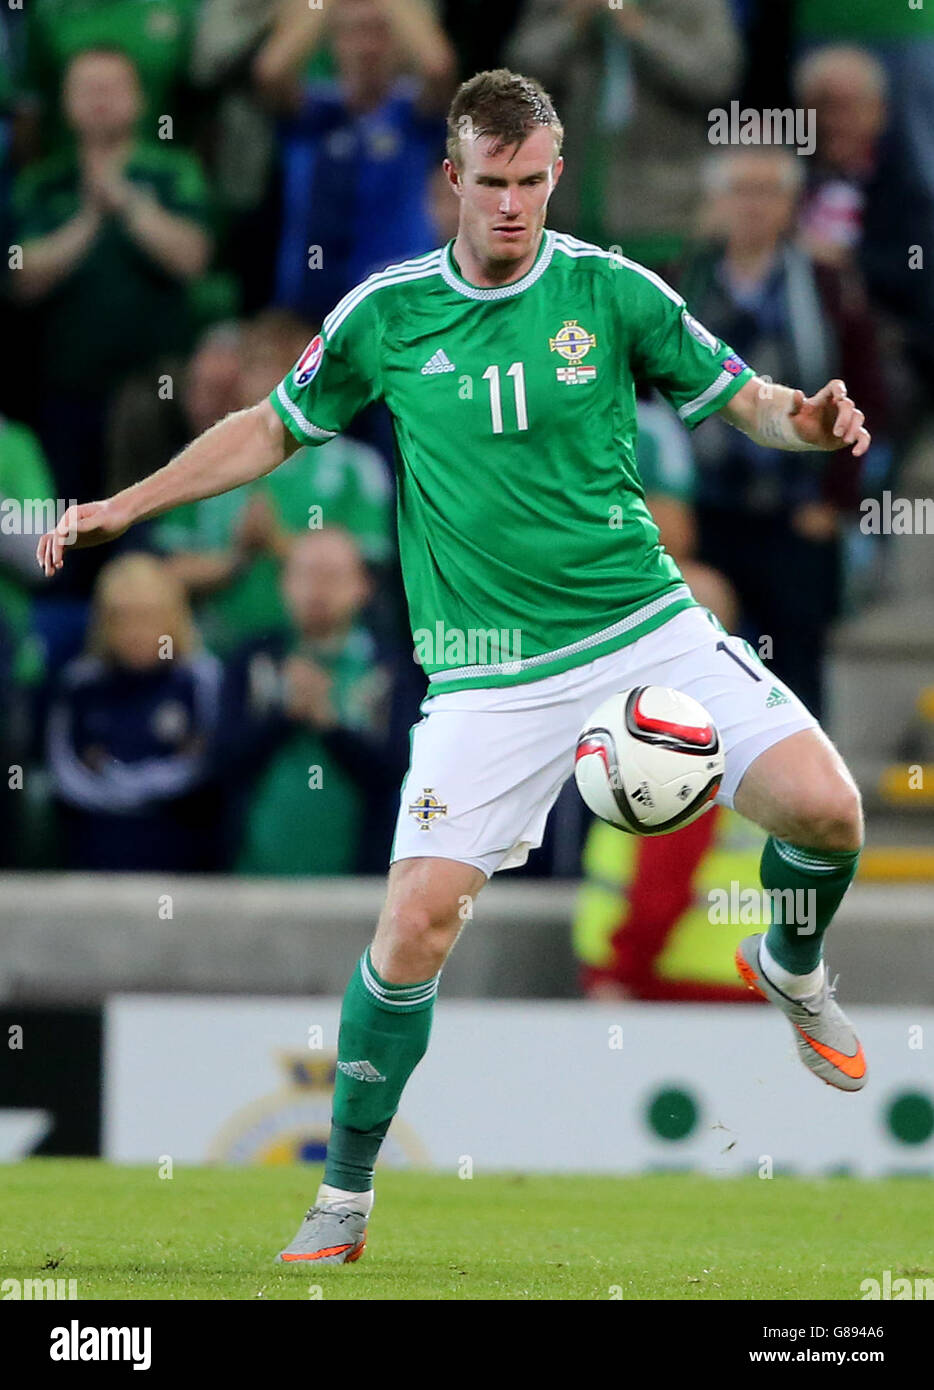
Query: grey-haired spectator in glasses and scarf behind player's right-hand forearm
[[773, 522]]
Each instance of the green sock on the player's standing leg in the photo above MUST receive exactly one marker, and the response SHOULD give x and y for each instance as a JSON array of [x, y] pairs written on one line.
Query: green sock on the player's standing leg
[[384, 1035]]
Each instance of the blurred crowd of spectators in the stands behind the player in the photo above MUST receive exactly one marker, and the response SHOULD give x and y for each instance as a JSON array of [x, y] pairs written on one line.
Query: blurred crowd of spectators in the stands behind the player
[[187, 187]]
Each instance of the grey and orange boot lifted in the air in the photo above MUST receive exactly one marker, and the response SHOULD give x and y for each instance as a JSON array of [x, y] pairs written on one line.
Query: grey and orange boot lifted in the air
[[825, 1036]]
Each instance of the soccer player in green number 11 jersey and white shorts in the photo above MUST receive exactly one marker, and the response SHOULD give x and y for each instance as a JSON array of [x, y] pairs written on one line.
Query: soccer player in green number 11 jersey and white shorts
[[537, 589]]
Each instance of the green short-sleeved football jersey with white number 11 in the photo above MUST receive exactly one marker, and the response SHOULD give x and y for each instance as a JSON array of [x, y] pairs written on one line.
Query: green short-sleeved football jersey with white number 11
[[526, 543]]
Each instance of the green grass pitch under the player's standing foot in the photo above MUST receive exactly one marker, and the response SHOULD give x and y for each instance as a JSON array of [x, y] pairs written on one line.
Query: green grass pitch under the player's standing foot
[[124, 1234]]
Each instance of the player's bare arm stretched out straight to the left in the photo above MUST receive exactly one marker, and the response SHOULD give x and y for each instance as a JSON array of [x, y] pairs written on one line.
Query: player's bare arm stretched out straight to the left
[[236, 451]]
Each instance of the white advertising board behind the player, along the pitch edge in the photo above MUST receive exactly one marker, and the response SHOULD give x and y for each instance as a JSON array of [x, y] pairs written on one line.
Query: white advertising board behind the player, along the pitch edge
[[534, 1088]]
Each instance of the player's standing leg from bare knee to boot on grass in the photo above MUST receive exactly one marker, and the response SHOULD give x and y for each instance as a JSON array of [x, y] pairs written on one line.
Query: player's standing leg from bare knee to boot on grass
[[386, 1024]]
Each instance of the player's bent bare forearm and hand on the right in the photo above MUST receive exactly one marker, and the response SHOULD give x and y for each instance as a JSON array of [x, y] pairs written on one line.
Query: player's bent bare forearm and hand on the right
[[780, 418]]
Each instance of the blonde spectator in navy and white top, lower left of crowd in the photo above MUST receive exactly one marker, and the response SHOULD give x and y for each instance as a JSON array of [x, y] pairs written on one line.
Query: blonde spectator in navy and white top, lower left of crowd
[[131, 730]]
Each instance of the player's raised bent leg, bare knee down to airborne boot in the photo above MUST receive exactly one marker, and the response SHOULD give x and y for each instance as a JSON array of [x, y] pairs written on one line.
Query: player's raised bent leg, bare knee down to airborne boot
[[801, 792]]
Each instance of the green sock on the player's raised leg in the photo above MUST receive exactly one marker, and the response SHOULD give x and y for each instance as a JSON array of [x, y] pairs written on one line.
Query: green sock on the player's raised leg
[[812, 883]]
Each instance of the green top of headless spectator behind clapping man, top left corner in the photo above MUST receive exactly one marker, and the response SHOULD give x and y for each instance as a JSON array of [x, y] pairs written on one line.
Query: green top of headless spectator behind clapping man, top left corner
[[155, 34]]
